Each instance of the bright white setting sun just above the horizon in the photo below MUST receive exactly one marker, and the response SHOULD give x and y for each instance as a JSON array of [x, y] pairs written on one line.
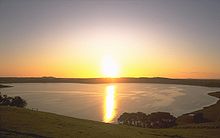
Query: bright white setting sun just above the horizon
[[110, 67]]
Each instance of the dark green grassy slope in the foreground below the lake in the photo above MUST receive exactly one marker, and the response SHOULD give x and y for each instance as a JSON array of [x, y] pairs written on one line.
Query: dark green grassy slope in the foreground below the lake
[[19, 122]]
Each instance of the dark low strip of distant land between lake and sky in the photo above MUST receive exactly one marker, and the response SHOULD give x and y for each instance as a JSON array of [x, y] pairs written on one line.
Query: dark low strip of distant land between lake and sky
[[197, 82]]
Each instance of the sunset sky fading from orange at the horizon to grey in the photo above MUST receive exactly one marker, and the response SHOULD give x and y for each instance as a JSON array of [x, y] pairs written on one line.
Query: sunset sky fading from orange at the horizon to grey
[[143, 38]]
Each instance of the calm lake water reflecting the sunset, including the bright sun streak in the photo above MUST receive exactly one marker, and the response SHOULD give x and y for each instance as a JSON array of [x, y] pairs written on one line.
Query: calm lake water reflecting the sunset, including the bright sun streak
[[106, 102]]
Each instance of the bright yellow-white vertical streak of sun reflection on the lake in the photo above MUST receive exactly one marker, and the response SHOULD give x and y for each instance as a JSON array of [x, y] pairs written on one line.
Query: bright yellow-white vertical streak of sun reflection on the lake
[[110, 104]]
